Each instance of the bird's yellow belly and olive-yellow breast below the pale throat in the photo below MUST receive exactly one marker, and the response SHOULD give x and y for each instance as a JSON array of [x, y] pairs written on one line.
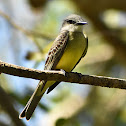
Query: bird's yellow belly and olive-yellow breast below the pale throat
[[74, 50]]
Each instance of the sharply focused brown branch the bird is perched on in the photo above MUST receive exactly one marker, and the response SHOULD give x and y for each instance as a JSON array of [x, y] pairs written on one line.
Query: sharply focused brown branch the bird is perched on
[[59, 76]]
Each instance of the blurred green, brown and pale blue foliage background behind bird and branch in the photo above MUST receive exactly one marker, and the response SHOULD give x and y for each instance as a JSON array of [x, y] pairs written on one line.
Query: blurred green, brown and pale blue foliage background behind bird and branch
[[27, 28]]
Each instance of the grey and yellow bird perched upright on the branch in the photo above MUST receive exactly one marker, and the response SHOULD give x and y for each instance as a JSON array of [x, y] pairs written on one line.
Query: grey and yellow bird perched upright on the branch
[[69, 47]]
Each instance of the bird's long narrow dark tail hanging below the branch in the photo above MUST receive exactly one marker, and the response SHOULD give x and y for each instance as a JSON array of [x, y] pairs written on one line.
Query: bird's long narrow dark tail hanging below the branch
[[33, 101]]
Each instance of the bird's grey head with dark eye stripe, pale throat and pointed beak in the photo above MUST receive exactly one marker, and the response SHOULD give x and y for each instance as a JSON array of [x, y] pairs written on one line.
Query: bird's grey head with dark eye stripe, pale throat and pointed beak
[[73, 23]]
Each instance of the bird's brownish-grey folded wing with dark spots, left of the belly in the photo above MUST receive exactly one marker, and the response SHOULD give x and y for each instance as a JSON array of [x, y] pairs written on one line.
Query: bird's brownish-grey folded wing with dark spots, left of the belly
[[56, 51]]
